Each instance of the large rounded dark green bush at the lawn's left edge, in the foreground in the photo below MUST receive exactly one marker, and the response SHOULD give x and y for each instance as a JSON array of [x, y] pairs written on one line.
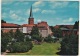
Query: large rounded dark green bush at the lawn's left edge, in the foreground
[[21, 46]]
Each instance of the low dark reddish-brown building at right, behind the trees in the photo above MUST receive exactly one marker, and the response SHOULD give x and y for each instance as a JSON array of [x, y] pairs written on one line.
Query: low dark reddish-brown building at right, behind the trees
[[67, 29]]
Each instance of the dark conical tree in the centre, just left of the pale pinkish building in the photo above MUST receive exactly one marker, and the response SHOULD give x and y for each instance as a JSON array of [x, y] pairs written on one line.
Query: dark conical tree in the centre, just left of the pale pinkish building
[[35, 34]]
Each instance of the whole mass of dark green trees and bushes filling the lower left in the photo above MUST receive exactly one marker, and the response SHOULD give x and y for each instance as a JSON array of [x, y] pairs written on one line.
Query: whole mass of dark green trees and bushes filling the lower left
[[19, 45]]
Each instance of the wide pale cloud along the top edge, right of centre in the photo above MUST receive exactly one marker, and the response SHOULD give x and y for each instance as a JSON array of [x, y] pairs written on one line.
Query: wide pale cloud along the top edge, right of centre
[[59, 4]]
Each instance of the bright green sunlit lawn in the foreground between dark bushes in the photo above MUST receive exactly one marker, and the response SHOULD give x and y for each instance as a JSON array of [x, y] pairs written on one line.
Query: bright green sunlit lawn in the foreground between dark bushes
[[43, 49]]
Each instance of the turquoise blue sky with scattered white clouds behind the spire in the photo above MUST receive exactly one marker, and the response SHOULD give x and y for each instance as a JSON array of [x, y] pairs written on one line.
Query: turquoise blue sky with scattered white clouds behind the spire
[[53, 12]]
